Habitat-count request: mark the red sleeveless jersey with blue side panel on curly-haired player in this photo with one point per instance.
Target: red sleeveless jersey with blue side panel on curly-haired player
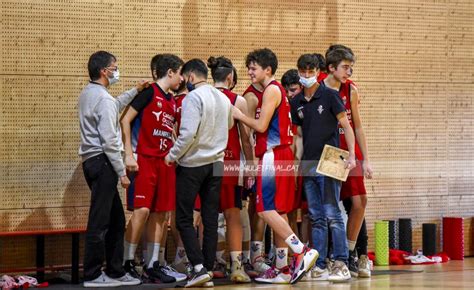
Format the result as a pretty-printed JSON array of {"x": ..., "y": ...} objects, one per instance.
[{"x": 279, "y": 130}]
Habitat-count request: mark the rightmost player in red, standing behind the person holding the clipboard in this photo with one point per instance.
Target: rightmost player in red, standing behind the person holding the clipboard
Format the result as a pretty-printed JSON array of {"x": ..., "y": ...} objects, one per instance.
[{"x": 340, "y": 60}]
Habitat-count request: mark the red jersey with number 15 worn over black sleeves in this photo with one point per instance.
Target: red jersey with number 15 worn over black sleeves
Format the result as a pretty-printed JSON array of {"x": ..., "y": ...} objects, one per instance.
[{"x": 156, "y": 124}]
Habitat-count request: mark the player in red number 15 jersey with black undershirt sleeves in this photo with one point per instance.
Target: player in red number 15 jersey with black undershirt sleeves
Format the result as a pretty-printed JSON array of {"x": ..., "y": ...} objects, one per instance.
[{"x": 153, "y": 118}]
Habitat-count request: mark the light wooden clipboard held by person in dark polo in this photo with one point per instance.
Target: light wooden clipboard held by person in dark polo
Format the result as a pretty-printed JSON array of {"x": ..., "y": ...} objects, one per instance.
[{"x": 332, "y": 163}]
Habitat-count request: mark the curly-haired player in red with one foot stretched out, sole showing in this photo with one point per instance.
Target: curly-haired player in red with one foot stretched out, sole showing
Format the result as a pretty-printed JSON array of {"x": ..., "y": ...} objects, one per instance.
[{"x": 274, "y": 138}]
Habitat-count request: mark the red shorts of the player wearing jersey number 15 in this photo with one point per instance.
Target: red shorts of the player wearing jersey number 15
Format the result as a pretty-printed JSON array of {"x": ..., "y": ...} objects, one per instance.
[{"x": 154, "y": 185}]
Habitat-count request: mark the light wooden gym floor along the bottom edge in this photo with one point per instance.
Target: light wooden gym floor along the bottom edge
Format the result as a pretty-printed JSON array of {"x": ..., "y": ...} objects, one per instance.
[{"x": 451, "y": 275}]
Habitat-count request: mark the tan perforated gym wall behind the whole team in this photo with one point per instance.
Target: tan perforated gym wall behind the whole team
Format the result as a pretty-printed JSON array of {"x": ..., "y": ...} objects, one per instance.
[{"x": 413, "y": 70}]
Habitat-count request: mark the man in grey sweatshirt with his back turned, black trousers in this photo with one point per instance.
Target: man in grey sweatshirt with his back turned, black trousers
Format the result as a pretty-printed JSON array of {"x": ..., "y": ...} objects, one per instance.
[{"x": 199, "y": 152}]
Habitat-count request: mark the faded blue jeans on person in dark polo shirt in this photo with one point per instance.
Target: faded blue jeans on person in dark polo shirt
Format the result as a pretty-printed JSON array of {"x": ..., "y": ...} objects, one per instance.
[{"x": 322, "y": 194}]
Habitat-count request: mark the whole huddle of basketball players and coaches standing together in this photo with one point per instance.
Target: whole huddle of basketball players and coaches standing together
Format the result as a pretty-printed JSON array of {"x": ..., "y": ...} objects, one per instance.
[{"x": 198, "y": 156}]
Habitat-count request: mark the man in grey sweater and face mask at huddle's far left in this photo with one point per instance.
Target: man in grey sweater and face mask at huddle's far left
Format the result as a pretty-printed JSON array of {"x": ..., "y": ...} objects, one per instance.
[{"x": 101, "y": 151}]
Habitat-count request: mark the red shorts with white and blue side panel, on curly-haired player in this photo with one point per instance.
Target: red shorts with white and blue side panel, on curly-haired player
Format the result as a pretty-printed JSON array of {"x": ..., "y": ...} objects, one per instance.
[{"x": 276, "y": 181}]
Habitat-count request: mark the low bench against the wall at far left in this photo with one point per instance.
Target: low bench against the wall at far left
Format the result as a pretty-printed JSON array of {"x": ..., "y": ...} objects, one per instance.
[{"x": 40, "y": 242}]
